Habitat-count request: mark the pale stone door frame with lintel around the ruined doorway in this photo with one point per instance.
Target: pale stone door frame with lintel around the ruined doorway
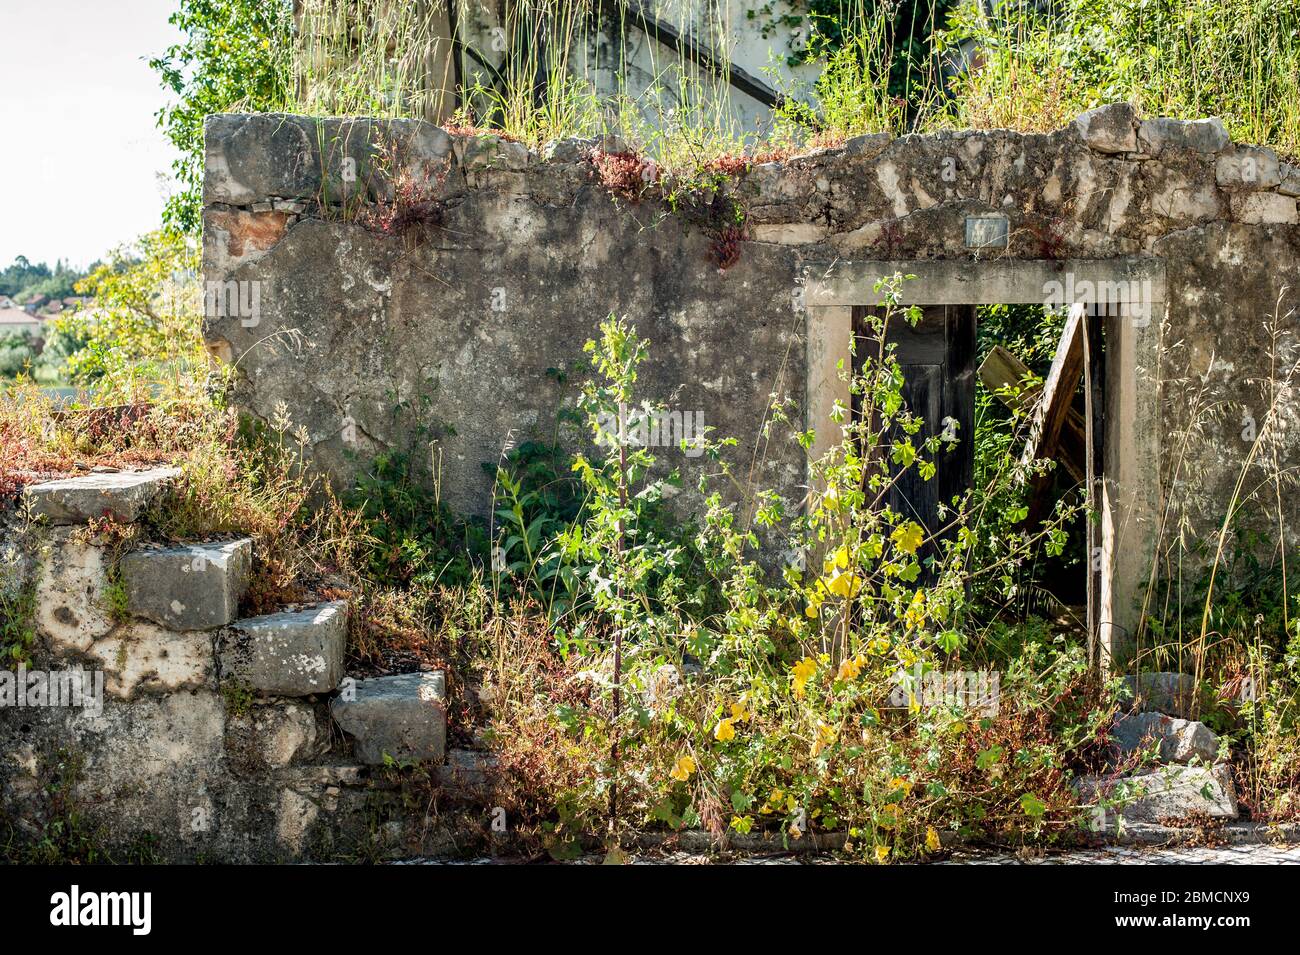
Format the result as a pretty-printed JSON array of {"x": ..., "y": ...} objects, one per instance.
[{"x": 1130, "y": 493}]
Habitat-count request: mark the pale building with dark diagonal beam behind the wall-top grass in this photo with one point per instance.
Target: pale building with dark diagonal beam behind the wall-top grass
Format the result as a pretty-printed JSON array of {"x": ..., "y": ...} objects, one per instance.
[{"x": 735, "y": 55}]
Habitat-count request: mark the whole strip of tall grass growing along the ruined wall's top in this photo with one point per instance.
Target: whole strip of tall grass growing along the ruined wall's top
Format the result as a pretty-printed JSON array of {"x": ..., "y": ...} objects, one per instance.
[{"x": 545, "y": 70}]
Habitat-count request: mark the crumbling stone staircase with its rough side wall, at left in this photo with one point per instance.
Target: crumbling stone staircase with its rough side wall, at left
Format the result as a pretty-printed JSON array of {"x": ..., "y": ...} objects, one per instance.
[{"x": 220, "y": 736}]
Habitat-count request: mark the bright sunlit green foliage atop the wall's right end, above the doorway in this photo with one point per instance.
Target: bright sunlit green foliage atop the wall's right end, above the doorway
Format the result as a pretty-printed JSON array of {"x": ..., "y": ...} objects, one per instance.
[{"x": 1188, "y": 59}]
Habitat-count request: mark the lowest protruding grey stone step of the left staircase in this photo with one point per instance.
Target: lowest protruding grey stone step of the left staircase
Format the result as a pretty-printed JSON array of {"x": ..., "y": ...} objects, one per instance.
[{"x": 404, "y": 718}]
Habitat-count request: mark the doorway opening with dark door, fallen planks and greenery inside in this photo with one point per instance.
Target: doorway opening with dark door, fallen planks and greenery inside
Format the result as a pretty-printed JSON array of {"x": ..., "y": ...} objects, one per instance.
[{"x": 977, "y": 374}]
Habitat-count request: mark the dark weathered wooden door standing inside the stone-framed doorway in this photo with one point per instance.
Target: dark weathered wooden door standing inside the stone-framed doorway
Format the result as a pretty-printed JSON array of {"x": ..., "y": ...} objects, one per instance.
[{"x": 938, "y": 359}]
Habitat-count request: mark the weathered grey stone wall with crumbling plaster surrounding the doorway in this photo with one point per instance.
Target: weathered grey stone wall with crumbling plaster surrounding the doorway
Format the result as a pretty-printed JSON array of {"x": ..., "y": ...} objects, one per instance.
[{"x": 513, "y": 259}]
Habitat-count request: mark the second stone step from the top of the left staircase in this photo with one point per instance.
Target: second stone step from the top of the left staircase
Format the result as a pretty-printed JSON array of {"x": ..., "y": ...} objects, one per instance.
[{"x": 189, "y": 588}]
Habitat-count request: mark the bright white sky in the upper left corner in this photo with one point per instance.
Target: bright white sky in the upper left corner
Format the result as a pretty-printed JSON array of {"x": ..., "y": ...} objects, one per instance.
[{"x": 84, "y": 166}]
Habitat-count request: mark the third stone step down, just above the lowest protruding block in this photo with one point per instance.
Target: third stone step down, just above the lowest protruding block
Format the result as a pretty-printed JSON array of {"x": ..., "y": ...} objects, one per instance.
[{"x": 288, "y": 654}]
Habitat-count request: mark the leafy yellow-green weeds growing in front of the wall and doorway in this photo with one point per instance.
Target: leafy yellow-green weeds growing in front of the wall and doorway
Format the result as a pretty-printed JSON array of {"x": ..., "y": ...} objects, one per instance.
[{"x": 790, "y": 720}]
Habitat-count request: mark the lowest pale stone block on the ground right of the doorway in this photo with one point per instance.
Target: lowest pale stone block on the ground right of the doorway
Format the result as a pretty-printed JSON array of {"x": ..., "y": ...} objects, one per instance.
[{"x": 1167, "y": 795}]
